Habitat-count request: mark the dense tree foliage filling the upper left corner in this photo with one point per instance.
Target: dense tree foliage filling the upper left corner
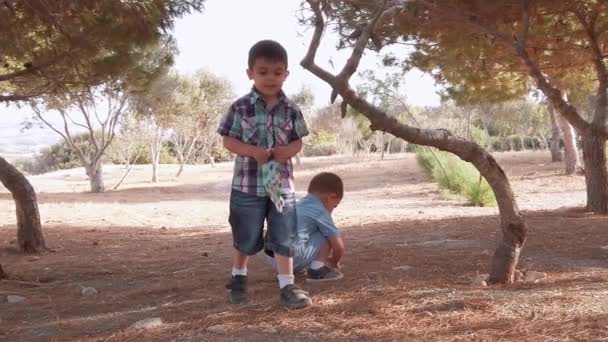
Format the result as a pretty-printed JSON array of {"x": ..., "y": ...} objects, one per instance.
[{"x": 54, "y": 47}]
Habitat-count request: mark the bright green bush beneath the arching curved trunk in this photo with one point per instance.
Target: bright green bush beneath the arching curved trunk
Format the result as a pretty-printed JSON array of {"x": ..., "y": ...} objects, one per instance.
[{"x": 456, "y": 176}]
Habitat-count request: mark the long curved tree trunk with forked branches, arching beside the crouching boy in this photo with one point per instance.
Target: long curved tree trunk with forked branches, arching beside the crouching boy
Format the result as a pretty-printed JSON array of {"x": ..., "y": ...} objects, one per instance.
[{"x": 512, "y": 223}]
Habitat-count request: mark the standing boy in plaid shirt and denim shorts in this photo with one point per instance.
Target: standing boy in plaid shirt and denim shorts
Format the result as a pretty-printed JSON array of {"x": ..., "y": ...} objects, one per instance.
[{"x": 262, "y": 126}]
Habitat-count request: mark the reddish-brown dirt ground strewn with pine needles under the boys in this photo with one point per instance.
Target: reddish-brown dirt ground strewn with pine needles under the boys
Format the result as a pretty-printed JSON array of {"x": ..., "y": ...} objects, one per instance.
[{"x": 163, "y": 250}]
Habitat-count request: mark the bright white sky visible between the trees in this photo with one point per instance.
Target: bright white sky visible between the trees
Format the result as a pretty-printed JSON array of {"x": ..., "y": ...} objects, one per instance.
[{"x": 218, "y": 39}]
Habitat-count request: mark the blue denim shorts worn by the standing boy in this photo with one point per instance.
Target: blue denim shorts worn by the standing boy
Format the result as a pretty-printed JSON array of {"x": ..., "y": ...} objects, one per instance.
[{"x": 247, "y": 215}]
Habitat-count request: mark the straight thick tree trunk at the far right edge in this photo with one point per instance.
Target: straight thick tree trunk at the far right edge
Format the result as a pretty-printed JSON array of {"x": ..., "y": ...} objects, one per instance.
[{"x": 596, "y": 174}]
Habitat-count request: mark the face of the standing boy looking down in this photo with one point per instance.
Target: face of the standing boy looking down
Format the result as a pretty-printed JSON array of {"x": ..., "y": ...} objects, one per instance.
[{"x": 268, "y": 76}]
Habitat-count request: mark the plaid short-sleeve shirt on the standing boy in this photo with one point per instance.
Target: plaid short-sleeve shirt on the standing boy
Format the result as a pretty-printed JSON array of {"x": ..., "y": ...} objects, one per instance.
[{"x": 249, "y": 121}]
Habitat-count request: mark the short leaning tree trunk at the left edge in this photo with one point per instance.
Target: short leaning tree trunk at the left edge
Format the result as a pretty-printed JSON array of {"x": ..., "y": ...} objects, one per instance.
[{"x": 29, "y": 230}]
